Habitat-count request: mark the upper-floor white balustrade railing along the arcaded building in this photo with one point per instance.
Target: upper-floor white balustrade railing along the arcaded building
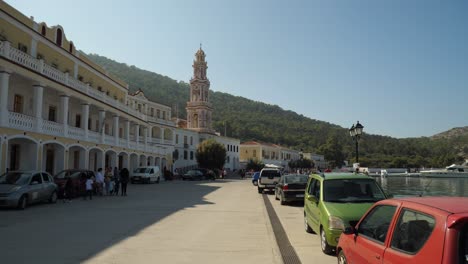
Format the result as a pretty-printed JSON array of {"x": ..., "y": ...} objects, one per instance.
[{"x": 37, "y": 65}]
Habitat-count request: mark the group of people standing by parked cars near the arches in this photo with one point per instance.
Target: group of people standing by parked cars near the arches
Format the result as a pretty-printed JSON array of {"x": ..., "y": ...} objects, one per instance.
[{"x": 108, "y": 182}]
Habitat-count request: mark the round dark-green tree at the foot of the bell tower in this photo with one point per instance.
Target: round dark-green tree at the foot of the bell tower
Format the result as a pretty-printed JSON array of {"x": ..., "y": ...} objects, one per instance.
[{"x": 211, "y": 154}]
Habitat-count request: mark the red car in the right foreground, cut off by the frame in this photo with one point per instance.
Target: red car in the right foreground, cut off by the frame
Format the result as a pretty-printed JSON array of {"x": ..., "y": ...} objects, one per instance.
[{"x": 409, "y": 230}]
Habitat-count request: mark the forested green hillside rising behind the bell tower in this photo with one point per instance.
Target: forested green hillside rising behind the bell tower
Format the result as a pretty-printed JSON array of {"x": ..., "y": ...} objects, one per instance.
[{"x": 252, "y": 120}]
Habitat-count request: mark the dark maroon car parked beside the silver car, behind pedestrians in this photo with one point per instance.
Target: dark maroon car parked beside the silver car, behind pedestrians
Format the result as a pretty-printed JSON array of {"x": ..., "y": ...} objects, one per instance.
[{"x": 78, "y": 178}]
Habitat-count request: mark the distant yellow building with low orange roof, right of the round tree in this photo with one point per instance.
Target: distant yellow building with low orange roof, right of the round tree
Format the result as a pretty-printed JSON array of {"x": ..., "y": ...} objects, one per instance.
[{"x": 267, "y": 153}]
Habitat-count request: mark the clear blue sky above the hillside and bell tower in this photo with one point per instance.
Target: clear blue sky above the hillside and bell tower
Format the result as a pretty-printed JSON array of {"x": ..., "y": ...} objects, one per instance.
[{"x": 399, "y": 67}]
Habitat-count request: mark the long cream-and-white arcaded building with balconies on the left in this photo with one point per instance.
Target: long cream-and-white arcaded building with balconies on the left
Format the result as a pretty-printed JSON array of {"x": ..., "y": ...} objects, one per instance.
[{"x": 59, "y": 110}]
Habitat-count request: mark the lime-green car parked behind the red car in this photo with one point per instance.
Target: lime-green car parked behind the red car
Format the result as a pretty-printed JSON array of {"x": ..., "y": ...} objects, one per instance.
[{"x": 334, "y": 201}]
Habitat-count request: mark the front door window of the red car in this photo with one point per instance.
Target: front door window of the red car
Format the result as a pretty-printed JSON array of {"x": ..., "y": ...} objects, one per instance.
[{"x": 375, "y": 224}]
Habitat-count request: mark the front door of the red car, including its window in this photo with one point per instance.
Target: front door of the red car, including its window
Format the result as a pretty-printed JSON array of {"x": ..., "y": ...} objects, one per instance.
[{"x": 372, "y": 233}]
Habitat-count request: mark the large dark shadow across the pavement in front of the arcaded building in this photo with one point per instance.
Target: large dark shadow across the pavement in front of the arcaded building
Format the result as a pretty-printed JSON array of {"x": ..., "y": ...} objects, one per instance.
[{"x": 74, "y": 232}]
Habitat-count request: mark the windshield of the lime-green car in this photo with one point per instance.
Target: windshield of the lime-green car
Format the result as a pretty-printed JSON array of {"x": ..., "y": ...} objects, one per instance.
[{"x": 352, "y": 190}]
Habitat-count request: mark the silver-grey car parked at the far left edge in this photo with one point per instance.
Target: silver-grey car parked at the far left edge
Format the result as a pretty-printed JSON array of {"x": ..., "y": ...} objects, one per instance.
[{"x": 20, "y": 188}]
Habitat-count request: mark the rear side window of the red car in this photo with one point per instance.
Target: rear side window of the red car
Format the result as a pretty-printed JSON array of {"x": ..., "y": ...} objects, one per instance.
[{"x": 412, "y": 231}]
